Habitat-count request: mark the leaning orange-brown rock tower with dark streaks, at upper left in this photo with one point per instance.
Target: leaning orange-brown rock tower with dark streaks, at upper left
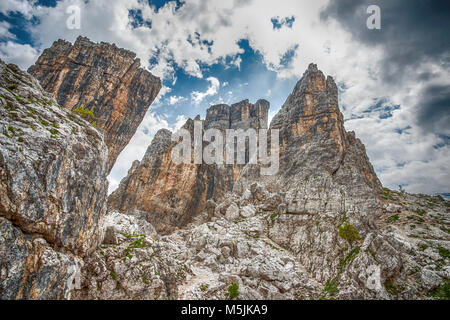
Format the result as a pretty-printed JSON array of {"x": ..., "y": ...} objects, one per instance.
[{"x": 102, "y": 78}]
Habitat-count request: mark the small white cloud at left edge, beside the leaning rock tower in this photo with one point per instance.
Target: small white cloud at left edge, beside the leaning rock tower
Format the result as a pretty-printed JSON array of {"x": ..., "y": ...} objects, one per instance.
[{"x": 21, "y": 54}]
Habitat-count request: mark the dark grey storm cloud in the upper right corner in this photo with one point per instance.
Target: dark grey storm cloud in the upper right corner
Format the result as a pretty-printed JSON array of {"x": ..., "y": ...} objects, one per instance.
[{"x": 412, "y": 32}]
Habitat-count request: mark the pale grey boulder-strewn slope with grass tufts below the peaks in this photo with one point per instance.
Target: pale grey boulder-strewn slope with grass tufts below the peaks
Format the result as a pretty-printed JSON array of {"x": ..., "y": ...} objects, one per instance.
[{"x": 278, "y": 256}]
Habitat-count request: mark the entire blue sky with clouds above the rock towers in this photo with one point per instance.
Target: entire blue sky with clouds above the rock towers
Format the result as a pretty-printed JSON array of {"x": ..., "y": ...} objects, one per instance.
[{"x": 393, "y": 93}]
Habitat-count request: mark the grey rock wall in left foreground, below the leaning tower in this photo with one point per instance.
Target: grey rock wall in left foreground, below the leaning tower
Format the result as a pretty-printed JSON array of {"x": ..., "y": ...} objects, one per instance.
[{"x": 53, "y": 188}]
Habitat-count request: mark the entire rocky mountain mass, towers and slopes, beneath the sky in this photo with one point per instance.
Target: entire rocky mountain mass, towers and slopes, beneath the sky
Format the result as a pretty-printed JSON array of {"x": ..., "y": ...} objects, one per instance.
[{"x": 322, "y": 227}]
